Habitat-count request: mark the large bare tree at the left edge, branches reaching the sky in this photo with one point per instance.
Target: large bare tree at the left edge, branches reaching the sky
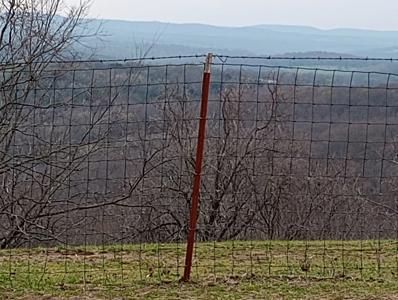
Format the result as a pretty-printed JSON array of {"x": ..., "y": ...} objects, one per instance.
[{"x": 52, "y": 123}]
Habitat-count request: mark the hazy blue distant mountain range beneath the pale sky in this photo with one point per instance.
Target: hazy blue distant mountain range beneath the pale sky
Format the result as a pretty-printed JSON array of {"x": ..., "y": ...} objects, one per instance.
[{"x": 128, "y": 39}]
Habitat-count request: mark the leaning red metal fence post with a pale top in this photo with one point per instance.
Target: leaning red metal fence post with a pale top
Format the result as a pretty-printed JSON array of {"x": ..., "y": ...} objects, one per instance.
[{"x": 198, "y": 168}]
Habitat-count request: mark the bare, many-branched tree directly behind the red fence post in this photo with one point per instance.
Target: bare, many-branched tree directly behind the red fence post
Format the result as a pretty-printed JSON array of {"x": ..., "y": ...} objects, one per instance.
[{"x": 231, "y": 183}]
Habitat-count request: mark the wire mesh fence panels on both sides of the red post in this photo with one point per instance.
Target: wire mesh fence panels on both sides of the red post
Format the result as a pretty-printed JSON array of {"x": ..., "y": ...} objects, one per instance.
[{"x": 97, "y": 166}]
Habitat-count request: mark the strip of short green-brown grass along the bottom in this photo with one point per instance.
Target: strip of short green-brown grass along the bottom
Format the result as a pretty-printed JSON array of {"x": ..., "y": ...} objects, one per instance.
[{"x": 227, "y": 270}]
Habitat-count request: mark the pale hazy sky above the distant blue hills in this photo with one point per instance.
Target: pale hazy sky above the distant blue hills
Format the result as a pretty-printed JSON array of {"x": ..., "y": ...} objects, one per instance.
[{"x": 370, "y": 14}]
